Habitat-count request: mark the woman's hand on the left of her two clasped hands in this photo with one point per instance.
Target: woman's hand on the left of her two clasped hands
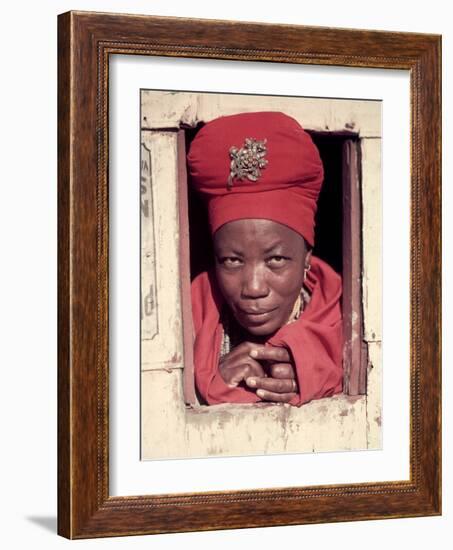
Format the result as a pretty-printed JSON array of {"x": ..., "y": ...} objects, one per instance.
[{"x": 239, "y": 365}]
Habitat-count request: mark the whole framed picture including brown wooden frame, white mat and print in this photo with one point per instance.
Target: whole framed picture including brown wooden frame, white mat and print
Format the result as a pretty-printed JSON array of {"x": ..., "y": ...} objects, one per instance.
[{"x": 239, "y": 354}]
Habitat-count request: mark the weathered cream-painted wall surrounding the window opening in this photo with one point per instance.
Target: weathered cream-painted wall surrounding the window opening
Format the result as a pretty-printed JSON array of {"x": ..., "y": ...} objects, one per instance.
[{"x": 169, "y": 428}]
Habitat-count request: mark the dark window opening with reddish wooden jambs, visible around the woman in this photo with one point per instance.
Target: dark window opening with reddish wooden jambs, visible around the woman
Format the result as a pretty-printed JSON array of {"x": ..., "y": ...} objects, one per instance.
[{"x": 338, "y": 241}]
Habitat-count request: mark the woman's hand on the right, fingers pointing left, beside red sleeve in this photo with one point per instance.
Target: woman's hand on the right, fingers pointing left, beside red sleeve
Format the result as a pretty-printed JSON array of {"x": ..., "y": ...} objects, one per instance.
[{"x": 281, "y": 385}]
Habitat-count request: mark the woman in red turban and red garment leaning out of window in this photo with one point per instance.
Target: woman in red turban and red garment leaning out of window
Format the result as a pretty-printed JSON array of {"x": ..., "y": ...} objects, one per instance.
[{"x": 267, "y": 319}]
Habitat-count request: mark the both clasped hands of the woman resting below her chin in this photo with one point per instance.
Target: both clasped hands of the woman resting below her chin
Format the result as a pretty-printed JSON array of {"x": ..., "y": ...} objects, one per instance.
[{"x": 266, "y": 369}]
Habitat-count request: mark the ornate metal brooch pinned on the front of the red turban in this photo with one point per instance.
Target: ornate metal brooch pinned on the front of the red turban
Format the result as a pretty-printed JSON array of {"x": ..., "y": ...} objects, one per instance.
[{"x": 247, "y": 161}]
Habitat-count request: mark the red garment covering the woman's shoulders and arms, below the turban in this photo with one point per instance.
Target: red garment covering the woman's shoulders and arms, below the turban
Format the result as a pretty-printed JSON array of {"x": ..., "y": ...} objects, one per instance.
[{"x": 315, "y": 340}]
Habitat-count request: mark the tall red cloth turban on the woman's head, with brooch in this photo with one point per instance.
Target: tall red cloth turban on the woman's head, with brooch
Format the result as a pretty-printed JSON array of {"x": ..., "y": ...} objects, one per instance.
[{"x": 257, "y": 165}]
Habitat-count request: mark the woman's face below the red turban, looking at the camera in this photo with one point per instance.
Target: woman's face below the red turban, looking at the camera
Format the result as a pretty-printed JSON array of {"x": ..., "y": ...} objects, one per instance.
[{"x": 260, "y": 270}]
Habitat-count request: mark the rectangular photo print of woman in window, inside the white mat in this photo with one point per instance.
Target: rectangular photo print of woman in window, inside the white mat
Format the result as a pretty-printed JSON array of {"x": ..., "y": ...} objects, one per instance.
[{"x": 260, "y": 274}]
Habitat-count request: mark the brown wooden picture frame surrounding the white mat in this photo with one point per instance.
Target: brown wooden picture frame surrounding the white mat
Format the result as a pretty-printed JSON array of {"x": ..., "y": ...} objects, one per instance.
[{"x": 85, "y": 508}]
